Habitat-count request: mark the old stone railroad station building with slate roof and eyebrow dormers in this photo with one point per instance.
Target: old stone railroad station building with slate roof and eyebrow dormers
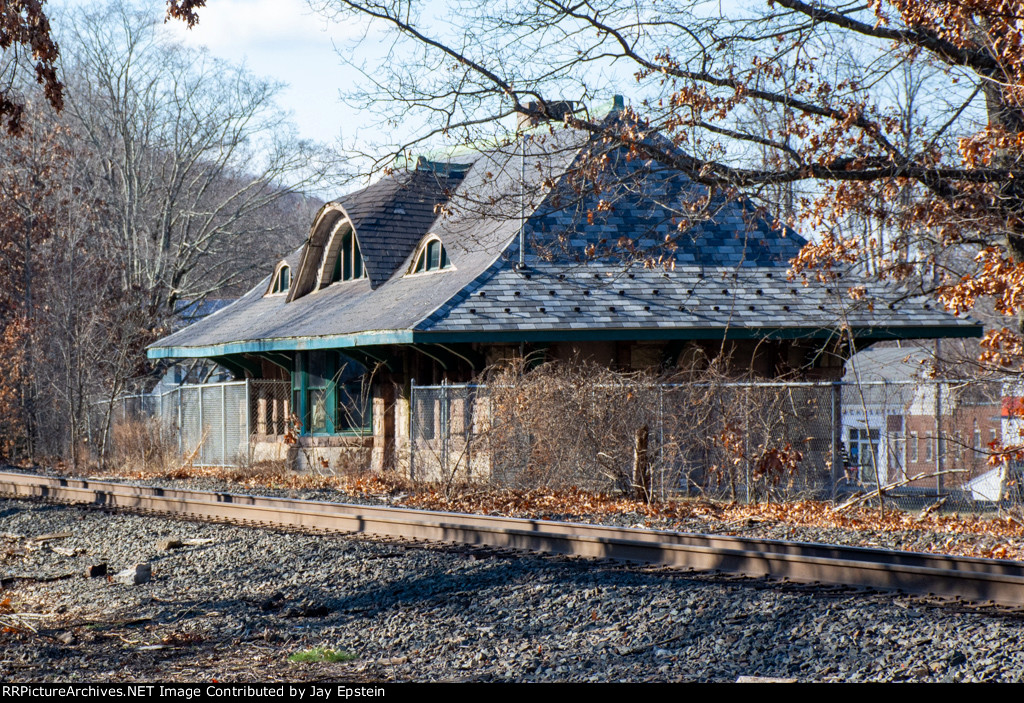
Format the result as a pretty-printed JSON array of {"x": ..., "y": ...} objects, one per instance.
[{"x": 449, "y": 266}]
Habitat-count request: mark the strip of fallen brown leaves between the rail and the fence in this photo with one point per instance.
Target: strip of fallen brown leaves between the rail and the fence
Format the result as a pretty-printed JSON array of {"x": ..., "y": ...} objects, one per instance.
[{"x": 998, "y": 537}]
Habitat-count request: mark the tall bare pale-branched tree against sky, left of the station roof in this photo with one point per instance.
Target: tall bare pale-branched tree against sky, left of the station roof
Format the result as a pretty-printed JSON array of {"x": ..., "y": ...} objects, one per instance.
[{"x": 196, "y": 161}]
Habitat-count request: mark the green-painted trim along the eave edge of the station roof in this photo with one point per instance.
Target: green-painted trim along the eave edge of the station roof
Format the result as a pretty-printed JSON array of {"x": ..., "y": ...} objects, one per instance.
[{"x": 405, "y": 337}]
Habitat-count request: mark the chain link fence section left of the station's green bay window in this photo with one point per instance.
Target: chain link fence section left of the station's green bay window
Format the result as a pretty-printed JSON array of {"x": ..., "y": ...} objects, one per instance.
[{"x": 211, "y": 425}]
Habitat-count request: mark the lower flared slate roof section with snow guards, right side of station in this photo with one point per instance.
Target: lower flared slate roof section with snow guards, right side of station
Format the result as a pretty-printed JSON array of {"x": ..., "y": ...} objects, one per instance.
[{"x": 689, "y": 298}]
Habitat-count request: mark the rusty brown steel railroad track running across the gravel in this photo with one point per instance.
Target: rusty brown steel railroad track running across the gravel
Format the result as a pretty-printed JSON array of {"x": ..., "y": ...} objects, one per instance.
[{"x": 968, "y": 579}]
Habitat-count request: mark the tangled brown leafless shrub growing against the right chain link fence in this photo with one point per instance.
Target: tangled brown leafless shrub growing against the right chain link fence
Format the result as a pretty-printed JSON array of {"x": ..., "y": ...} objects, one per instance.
[{"x": 648, "y": 436}]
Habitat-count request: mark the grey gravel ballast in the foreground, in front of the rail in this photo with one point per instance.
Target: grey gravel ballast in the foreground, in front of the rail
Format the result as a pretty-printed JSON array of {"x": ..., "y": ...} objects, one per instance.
[{"x": 234, "y": 604}]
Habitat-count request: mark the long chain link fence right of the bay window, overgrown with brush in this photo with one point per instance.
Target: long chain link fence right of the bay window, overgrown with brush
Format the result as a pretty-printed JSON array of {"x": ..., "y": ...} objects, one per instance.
[{"x": 919, "y": 443}]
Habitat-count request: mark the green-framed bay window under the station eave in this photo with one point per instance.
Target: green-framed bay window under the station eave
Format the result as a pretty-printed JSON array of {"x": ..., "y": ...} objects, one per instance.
[{"x": 331, "y": 393}]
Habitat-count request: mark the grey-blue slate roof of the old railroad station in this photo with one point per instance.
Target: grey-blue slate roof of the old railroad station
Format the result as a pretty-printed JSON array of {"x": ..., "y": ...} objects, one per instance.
[{"x": 721, "y": 275}]
